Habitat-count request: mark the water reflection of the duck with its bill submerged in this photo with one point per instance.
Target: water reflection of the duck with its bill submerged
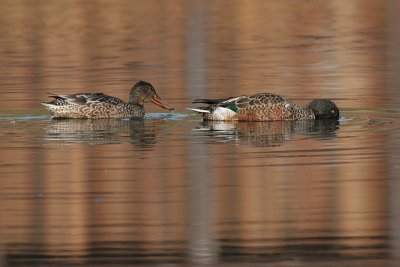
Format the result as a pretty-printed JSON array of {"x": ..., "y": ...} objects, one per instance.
[{"x": 268, "y": 133}]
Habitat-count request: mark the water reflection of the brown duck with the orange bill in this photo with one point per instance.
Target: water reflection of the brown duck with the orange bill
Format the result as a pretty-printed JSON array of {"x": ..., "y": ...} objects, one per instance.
[{"x": 139, "y": 132}]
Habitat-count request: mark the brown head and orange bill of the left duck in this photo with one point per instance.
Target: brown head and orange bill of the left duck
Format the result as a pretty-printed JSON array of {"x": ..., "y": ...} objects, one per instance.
[{"x": 143, "y": 92}]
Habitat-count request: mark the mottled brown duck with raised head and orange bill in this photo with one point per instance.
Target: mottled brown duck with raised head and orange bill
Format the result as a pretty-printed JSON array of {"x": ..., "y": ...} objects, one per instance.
[{"x": 99, "y": 105}]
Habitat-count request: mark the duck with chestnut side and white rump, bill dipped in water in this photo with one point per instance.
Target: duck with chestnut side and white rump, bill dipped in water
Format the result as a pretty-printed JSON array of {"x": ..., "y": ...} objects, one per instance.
[{"x": 265, "y": 107}]
